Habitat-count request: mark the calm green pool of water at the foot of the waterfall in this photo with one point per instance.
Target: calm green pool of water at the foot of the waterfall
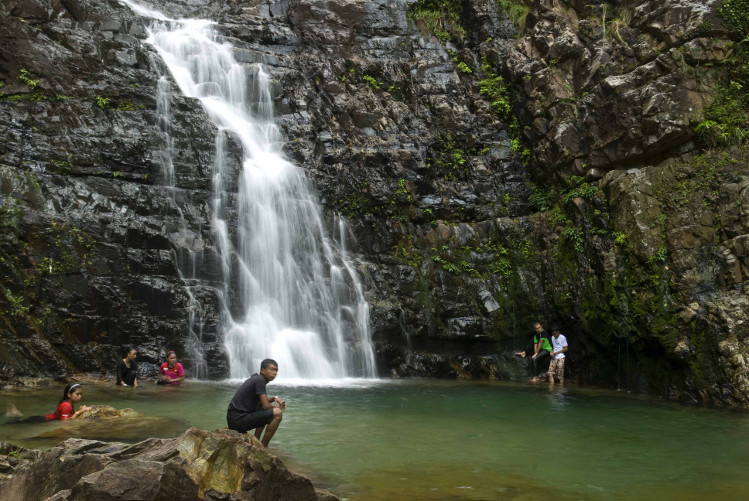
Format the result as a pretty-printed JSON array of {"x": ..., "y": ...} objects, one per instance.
[{"x": 437, "y": 440}]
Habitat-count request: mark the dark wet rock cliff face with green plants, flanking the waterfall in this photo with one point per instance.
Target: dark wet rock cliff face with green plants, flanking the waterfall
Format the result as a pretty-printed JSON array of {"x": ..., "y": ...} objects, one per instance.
[{"x": 494, "y": 173}]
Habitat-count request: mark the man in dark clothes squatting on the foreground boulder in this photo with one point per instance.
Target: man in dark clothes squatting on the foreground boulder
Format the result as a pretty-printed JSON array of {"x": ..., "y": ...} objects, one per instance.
[{"x": 251, "y": 408}]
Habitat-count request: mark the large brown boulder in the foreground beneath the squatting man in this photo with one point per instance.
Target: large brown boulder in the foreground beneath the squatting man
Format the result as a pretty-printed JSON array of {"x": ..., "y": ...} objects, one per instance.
[{"x": 198, "y": 465}]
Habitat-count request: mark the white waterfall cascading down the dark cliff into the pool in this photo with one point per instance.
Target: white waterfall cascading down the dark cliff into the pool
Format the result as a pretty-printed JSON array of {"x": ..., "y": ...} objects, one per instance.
[{"x": 289, "y": 291}]
